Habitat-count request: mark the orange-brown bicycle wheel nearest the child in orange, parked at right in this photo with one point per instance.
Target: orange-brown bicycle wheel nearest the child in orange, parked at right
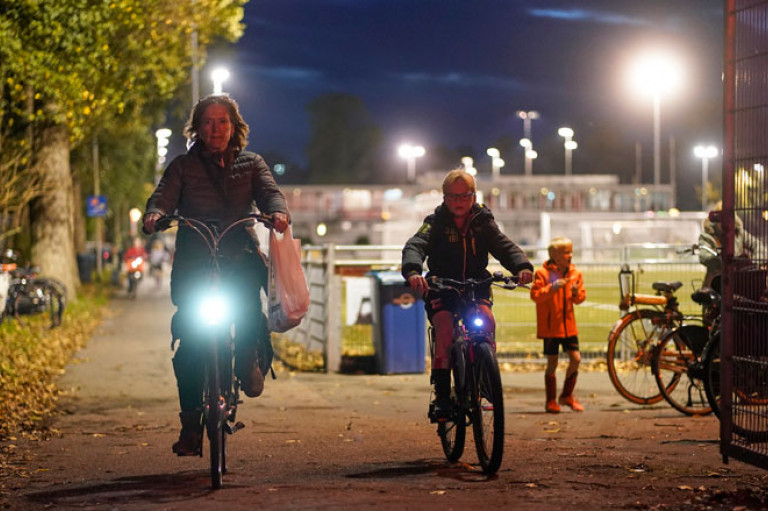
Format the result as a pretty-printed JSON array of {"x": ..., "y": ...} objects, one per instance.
[{"x": 628, "y": 356}]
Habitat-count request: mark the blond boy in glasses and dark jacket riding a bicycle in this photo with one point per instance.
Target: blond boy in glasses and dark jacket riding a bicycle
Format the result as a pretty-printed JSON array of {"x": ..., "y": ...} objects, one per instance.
[{"x": 455, "y": 240}]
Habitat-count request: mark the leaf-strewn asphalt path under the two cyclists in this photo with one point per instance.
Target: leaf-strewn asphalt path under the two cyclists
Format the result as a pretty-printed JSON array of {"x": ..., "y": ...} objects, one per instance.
[{"x": 317, "y": 441}]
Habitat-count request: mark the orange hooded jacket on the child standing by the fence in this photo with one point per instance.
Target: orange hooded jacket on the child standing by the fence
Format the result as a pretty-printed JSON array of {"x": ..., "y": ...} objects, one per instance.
[{"x": 554, "y": 307}]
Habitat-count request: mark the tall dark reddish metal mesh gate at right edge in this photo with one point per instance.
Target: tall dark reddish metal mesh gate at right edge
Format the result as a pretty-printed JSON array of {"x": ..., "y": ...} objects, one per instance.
[{"x": 744, "y": 361}]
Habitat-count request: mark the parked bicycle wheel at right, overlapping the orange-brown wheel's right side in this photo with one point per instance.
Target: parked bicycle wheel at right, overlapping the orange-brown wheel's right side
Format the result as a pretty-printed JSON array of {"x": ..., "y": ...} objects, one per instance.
[{"x": 680, "y": 374}]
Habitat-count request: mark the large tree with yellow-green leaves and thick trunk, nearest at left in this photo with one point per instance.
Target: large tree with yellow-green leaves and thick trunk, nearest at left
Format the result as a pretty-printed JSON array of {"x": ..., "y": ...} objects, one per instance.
[{"x": 71, "y": 67}]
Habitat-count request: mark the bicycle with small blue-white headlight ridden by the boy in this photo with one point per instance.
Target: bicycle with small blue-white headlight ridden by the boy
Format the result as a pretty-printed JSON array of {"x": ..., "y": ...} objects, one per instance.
[{"x": 476, "y": 395}]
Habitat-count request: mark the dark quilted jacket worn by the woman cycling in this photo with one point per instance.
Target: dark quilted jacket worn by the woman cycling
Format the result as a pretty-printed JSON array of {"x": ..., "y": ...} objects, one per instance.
[{"x": 194, "y": 185}]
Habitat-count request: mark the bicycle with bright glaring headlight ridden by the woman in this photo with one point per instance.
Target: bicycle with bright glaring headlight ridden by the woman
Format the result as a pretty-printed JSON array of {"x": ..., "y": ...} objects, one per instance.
[{"x": 221, "y": 388}]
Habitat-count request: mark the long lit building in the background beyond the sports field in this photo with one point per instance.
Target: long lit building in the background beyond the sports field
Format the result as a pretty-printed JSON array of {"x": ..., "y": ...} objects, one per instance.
[{"x": 594, "y": 210}]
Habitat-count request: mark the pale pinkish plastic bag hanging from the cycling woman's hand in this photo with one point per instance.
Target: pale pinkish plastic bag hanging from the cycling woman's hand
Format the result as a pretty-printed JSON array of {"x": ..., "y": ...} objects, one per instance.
[{"x": 288, "y": 298}]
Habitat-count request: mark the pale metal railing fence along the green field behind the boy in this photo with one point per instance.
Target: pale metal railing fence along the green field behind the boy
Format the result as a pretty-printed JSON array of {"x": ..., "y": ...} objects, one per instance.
[{"x": 339, "y": 328}]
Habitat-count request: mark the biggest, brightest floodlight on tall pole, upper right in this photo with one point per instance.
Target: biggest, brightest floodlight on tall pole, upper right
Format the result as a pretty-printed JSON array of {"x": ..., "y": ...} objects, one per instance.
[{"x": 656, "y": 74}]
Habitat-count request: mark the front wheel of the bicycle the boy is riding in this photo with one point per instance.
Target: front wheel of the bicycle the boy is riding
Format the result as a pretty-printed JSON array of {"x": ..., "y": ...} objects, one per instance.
[{"x": 488, "y": 410}]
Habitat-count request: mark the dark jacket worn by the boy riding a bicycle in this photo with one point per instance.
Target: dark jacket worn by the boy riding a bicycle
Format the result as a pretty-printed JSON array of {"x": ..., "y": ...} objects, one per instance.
[{"x": 461, "y": 254}]
